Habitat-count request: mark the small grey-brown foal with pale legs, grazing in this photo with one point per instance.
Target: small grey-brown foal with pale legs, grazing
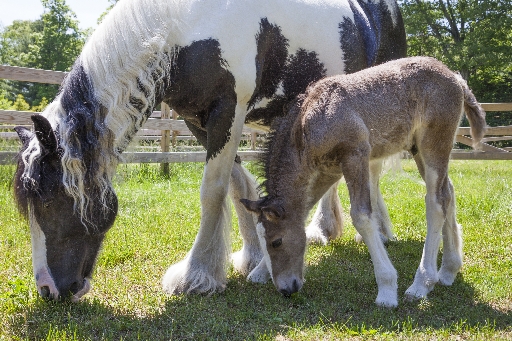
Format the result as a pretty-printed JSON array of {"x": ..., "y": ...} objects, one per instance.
[{"x": 343, "y": 126}]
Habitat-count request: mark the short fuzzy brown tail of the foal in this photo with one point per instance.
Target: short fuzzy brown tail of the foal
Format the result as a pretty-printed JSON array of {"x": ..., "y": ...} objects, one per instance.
[{"x": 475, "y": 114}]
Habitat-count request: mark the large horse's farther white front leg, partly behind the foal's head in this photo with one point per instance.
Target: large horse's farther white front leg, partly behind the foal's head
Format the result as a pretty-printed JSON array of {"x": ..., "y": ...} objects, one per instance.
[{"x": 243, "y": 185}]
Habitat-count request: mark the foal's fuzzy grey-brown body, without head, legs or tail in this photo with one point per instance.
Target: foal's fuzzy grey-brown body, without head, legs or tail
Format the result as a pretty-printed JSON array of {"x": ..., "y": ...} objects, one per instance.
[{"x": 391, "y": 106}]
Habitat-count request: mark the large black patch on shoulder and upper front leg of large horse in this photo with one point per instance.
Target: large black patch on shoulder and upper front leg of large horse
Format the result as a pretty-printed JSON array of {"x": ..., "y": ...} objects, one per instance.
[{"x": 202, "y": 91}]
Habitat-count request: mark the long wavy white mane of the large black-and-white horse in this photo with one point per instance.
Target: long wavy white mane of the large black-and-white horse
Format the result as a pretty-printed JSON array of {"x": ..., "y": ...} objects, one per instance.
[{"x": 109, "y": 93}]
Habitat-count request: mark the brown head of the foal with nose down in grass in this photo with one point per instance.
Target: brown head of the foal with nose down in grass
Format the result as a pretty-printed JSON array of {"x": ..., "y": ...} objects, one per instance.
[{"x": 283, "y": 242}]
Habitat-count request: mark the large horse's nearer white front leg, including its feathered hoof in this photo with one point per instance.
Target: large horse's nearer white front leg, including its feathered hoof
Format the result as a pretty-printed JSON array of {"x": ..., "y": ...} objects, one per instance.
[{"x": 204, "y": 269}]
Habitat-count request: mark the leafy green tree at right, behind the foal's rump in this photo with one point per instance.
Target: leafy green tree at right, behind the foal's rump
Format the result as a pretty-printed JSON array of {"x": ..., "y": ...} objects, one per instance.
[{"x": 473, "y": 37}]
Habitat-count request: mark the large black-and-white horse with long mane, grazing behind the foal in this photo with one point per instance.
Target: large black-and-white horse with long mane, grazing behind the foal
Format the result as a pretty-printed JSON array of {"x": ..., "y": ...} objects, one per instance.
[{"x": 219, "y": 64}]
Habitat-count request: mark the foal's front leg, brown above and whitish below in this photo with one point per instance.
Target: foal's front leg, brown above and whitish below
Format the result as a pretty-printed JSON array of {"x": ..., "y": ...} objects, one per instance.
[{"x": 356, "y": 171}]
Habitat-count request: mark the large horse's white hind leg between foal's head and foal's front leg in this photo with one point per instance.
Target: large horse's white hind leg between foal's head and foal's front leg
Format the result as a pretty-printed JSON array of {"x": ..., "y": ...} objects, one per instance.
[{"x": 327, "y": 222}]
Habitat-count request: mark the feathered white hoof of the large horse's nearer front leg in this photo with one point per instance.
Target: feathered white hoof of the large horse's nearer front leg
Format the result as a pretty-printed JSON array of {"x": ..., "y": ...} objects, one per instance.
[{"x": 183, "y": 278}]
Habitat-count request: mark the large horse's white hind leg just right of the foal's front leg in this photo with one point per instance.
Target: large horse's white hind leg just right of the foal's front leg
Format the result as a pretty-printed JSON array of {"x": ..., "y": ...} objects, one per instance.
[{"x": 378, "y": 205}]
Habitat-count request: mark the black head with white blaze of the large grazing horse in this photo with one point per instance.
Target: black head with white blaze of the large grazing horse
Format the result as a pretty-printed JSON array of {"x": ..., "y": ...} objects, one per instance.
[{"x": 65, "y": 244}]
